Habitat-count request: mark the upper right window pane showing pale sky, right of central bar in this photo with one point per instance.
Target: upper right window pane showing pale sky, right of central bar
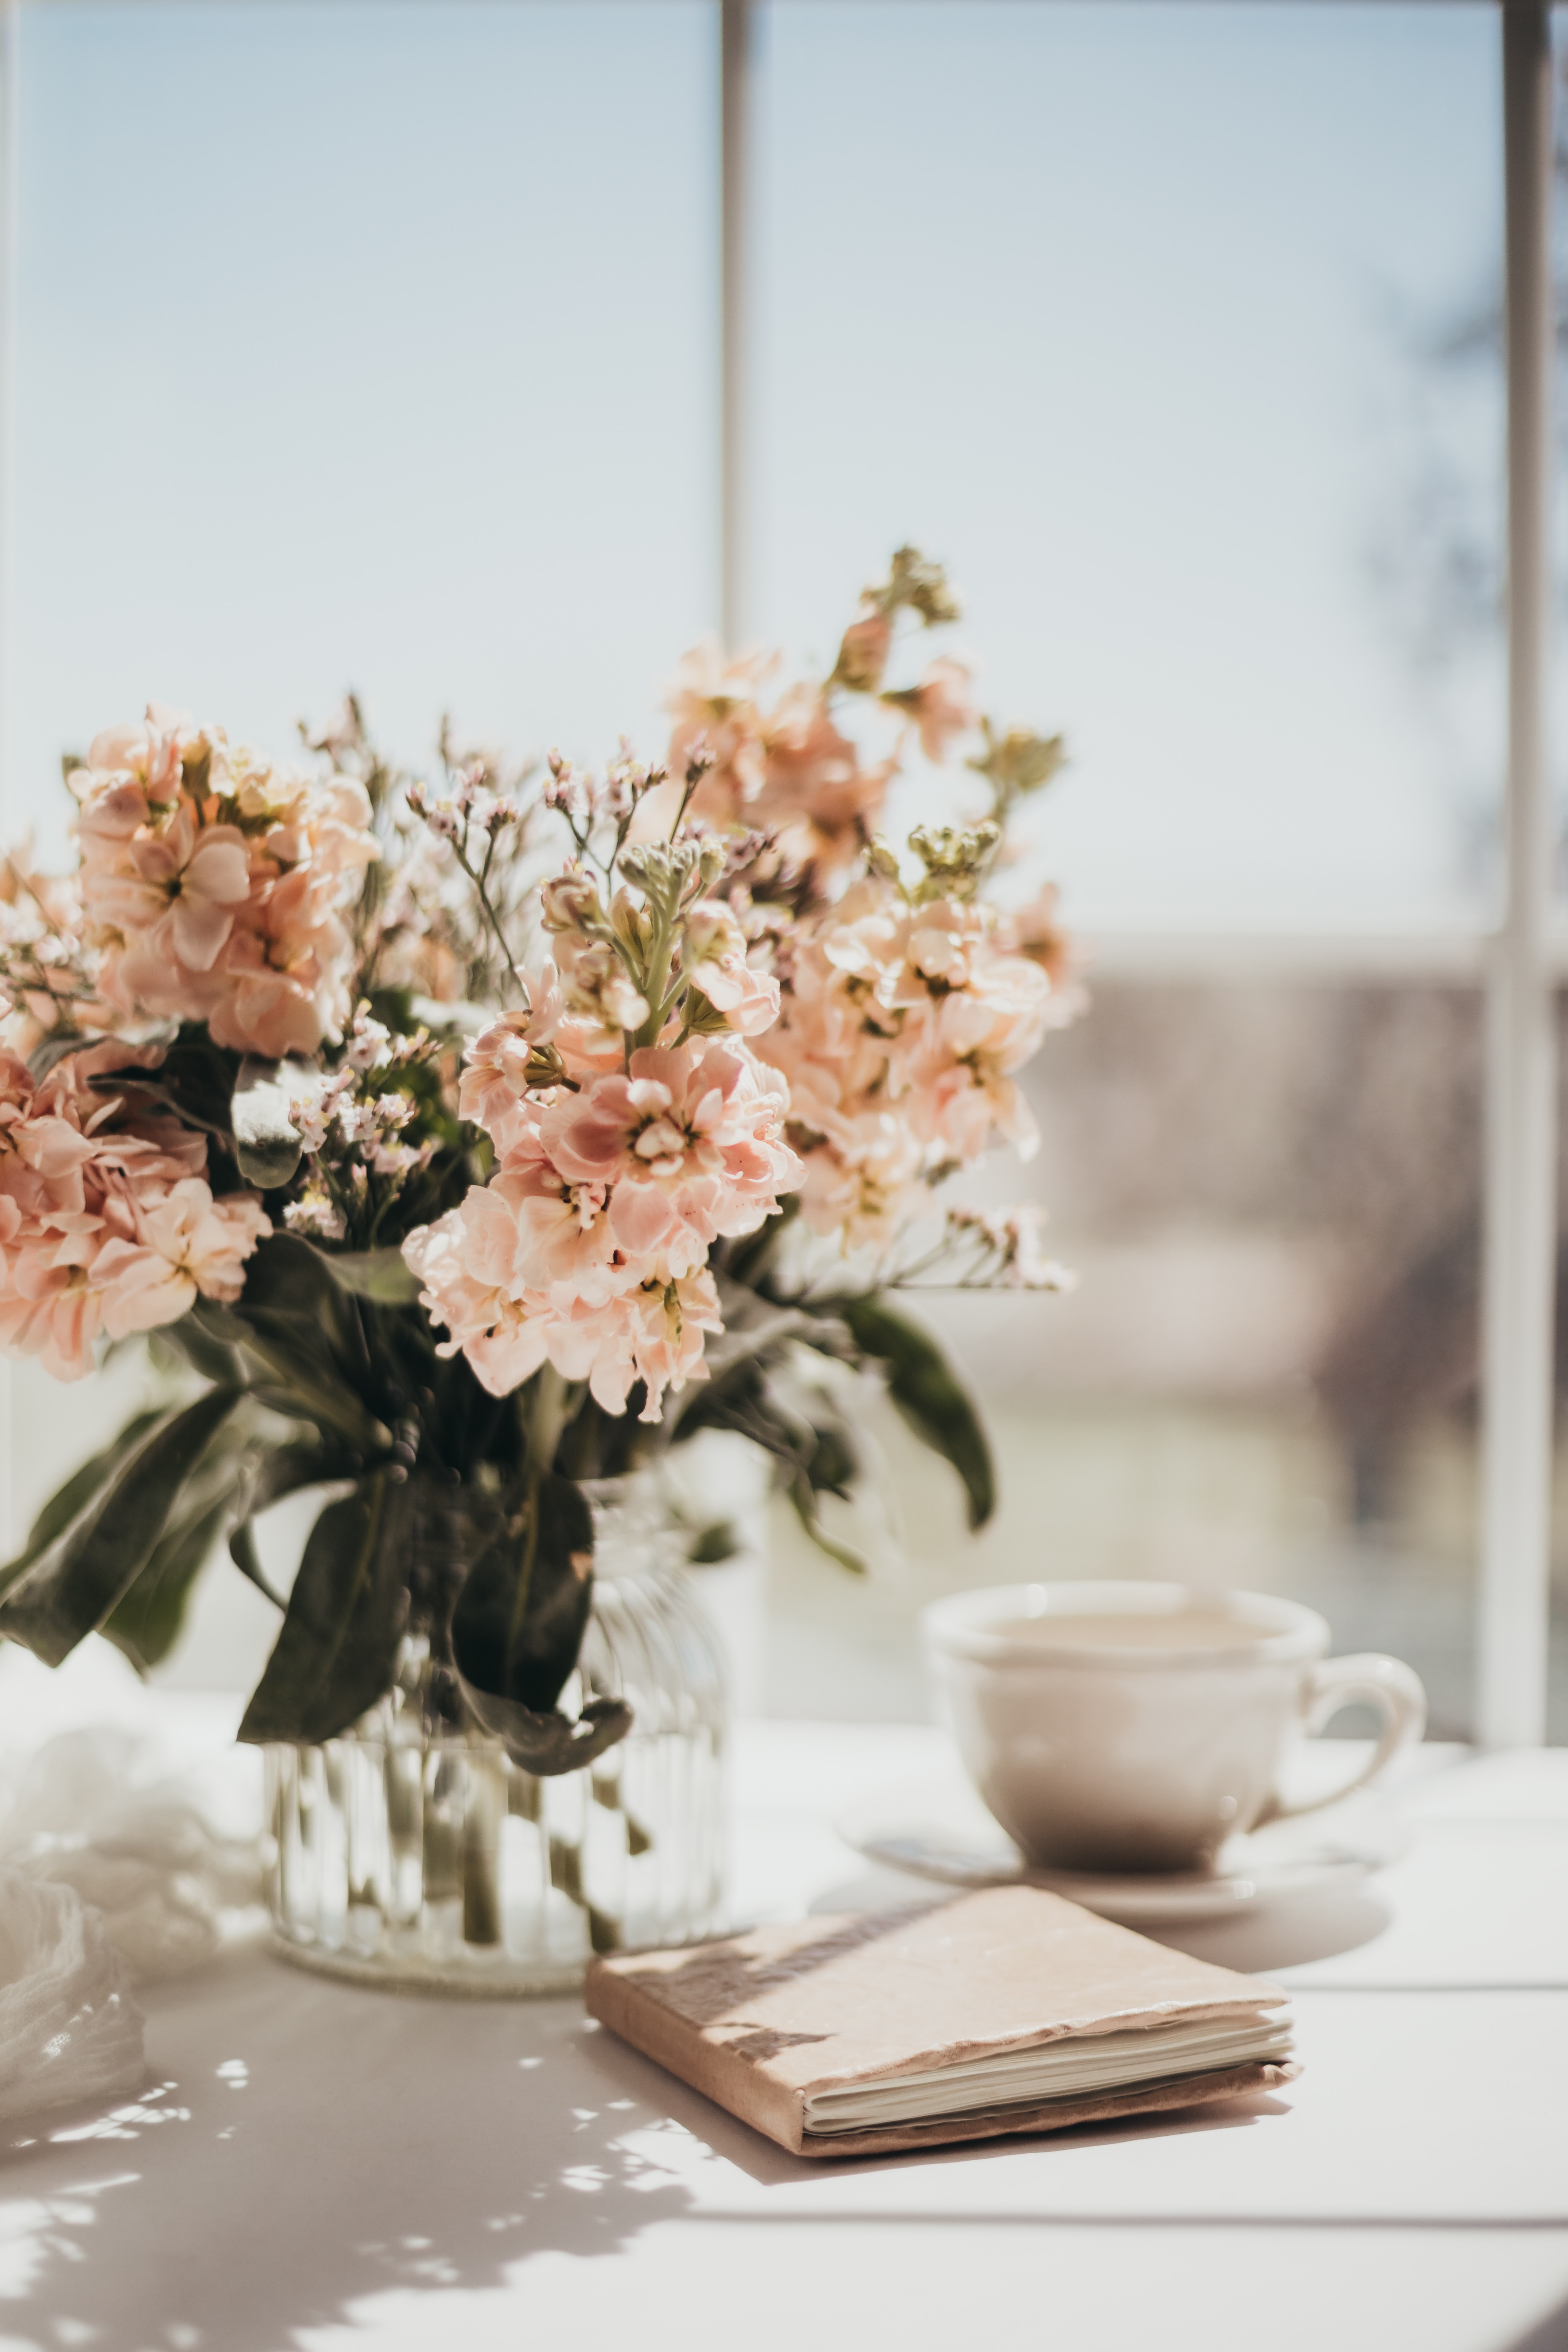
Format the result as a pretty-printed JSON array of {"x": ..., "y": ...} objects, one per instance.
[{"x": 1137, "y": 316}]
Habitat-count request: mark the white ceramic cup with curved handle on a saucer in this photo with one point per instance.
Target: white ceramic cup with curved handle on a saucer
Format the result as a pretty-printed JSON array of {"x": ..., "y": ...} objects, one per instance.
[{"x": 1137, "y": 1728}]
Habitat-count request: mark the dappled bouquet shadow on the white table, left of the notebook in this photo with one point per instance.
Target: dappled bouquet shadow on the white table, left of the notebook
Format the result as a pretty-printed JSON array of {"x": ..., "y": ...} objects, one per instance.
[{"x": 316, "y": 2146}]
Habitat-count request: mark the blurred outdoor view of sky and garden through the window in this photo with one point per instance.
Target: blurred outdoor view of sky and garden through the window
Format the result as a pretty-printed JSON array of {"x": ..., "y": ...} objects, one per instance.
[{"x": 375, "y": 342}]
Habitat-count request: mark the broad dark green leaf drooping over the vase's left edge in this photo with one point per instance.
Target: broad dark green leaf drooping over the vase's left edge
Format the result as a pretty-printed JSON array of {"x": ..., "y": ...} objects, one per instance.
[{"x": 340, "y": 1636}]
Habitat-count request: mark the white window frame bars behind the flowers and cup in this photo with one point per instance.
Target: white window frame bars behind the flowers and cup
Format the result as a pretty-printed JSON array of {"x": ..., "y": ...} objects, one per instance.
[{"x": 1517, "y": 963}]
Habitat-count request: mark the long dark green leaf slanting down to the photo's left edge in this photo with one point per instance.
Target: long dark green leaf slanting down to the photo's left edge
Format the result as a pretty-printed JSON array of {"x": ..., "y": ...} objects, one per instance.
[{"x": 79, "y": 1579}]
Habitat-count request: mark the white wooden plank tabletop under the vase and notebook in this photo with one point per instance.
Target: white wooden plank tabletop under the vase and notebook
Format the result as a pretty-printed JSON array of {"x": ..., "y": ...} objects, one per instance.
[{"x": 328, "y": 2167}]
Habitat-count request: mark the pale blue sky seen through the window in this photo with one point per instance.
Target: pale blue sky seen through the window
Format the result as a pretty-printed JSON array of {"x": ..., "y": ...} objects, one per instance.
[{"x": 377, "y": 345}]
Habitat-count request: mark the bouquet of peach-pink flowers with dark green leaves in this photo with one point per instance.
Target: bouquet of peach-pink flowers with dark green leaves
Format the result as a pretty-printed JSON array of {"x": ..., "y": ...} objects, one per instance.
[{"x": 460, "y": 1142}]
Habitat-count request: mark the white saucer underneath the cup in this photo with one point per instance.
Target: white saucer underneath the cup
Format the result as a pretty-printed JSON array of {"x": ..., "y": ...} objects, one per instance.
[{"x": 944, "y": 1833}]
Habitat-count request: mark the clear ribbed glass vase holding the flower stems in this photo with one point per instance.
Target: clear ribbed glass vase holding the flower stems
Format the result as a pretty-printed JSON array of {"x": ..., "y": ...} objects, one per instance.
[{"x": 427, "y": 1859}]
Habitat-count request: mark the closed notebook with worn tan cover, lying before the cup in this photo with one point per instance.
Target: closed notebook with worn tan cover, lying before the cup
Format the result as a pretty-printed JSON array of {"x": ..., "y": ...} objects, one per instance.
[{"x": 1007, "y": 2010}]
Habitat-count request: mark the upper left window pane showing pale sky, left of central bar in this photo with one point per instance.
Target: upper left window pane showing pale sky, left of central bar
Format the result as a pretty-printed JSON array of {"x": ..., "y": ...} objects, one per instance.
[{"x": 363, "y": 345}]
